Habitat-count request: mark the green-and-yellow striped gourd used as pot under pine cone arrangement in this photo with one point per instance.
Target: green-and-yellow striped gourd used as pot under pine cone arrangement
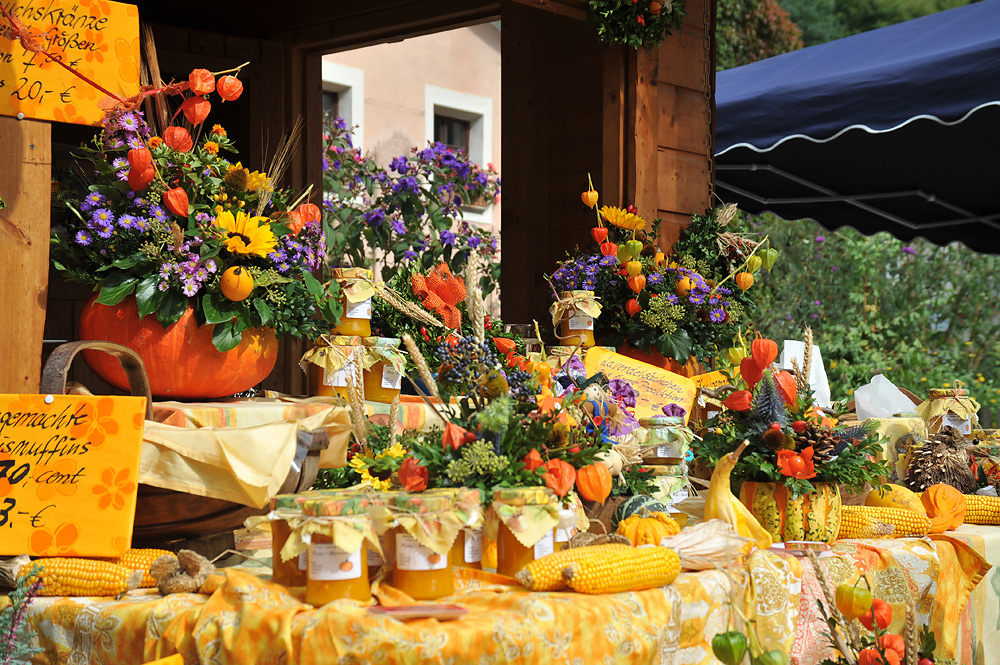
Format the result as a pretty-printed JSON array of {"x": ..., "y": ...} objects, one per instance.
[{"x": 814, "y": 516}]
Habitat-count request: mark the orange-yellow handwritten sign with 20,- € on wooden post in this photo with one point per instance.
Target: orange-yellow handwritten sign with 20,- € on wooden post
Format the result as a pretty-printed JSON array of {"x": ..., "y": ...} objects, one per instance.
[{"x": 98, "y": 39}]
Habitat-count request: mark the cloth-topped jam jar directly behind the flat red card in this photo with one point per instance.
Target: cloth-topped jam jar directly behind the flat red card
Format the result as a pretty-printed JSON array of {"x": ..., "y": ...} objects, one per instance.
[{"x": 419, "y": 544}]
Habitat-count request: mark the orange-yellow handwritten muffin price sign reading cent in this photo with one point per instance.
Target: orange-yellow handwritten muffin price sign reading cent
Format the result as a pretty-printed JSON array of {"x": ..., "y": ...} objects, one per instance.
[{"x": 68, "y": 473}]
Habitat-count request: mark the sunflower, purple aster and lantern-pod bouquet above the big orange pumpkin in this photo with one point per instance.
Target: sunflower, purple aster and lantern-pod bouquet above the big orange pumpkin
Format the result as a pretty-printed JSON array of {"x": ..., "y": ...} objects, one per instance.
[{"x": 174, "y": 221}]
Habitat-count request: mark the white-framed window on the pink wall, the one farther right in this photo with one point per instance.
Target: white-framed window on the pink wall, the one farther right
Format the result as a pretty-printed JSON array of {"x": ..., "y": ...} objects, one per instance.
[{"x": 461, "y": 120}]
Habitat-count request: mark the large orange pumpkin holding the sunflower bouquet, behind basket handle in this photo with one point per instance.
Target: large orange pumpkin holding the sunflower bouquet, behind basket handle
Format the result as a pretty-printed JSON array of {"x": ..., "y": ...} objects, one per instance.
[{"x": 181, "y": 361}]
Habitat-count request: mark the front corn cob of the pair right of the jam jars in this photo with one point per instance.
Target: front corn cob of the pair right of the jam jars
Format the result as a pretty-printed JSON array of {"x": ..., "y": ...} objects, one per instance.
[{"x": 617, "y": 570}]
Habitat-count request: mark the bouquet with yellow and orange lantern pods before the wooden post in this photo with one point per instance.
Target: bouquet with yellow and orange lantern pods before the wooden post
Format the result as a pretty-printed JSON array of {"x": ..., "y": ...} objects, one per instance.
[{"x": 688, "y": 304}]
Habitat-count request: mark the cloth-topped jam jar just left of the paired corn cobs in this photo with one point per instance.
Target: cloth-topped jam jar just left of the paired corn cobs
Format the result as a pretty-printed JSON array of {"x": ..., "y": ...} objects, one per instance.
[{"x": 524, "y": 520}]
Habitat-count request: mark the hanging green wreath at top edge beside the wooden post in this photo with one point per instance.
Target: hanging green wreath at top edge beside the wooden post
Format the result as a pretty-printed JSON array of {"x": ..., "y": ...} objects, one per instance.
[{"x": 635, "y": 22}]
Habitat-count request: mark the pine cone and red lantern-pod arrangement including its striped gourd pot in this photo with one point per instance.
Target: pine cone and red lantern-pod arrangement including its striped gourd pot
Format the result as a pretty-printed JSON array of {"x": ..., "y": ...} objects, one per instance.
[{"x": 796, "y": 458}]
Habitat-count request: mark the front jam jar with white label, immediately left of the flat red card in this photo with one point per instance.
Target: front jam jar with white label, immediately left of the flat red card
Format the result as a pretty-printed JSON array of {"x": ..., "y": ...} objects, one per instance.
[{"x": 337, "y": 542}]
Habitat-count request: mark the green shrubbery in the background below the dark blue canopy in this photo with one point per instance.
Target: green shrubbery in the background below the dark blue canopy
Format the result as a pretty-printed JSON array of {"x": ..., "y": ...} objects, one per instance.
[{"x": 923, "y": 315}]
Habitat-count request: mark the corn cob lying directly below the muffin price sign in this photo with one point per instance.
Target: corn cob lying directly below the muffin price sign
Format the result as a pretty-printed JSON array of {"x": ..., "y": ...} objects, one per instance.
[{"x": 69, "y": 576}]
